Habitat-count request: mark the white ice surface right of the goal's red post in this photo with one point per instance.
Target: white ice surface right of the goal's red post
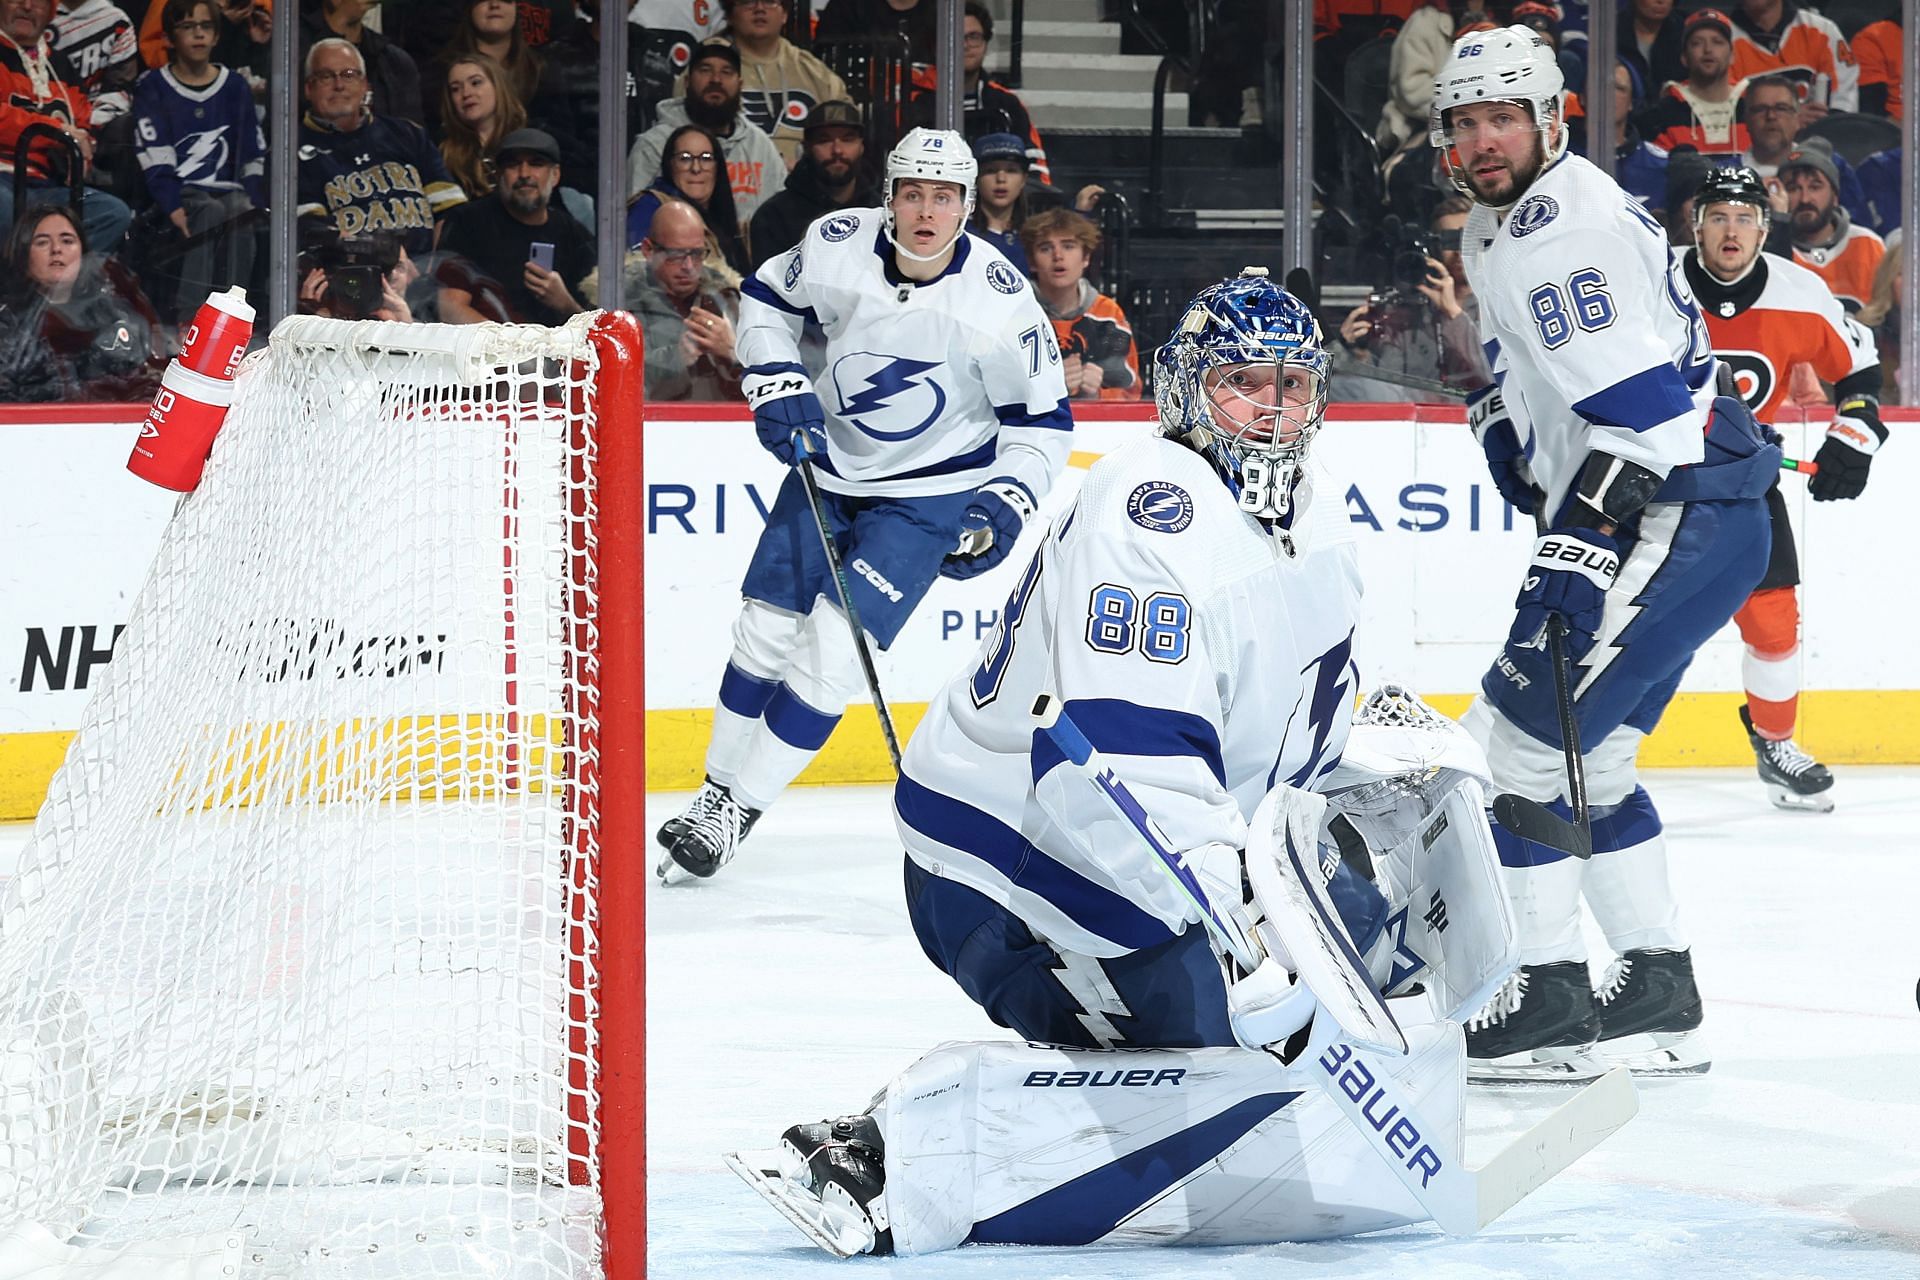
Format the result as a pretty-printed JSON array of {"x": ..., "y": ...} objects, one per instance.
[{"x": 790, "y": 989}]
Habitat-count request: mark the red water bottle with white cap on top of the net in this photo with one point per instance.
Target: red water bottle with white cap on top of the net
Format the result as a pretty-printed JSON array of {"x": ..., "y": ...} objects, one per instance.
[{"x": 195, "y": 394}]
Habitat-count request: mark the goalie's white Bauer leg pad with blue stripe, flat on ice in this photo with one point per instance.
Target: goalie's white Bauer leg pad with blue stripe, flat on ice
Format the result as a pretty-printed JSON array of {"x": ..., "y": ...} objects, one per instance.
[{"x": 1026, "y": 1145}]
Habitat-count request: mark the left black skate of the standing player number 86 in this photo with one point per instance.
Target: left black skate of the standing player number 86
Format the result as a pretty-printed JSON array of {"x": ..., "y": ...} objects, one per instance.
[{"x": 1539, "y": 1028}]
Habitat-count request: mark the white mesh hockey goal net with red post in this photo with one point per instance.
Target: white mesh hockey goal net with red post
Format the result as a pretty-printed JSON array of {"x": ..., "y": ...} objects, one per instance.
[{"x": 314, "y": 964}]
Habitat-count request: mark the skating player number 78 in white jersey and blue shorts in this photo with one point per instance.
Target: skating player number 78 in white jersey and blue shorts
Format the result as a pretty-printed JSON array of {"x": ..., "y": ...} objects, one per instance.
[{"x": 940, "y": 425}]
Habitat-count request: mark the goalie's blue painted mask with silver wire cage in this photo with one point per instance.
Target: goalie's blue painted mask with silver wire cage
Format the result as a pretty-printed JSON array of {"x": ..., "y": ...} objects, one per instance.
[{"x": 1243, "y": 383}]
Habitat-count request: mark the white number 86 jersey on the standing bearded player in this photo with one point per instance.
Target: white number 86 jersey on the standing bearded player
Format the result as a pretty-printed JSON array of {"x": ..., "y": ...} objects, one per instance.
[{"x": 1591, "y": 327}]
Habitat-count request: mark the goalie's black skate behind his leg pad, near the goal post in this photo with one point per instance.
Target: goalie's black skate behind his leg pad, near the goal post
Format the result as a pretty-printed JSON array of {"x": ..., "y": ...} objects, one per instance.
[{"x": 828, "y": 1181}]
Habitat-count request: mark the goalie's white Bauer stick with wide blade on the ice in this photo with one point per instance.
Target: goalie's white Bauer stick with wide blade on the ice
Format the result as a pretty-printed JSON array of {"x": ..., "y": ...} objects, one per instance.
[{"x": 1460, "y": 1198}]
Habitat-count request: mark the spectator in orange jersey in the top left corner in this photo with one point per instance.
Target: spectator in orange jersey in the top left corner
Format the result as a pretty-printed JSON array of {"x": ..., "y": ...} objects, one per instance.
[{"x": 39, "y": 87}]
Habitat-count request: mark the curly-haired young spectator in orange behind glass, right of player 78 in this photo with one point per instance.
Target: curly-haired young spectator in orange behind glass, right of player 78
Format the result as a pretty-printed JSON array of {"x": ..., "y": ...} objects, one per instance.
[{"x": 1097, "y": 352}]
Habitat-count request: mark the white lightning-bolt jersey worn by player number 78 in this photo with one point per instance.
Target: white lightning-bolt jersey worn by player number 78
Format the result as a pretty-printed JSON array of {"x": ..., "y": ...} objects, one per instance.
[{"x": 928, "y": 389}]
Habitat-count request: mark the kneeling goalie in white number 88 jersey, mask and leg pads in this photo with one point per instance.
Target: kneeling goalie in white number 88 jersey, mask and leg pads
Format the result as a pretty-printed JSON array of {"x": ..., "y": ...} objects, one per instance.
[{"x": 1195, "y": 615}]
